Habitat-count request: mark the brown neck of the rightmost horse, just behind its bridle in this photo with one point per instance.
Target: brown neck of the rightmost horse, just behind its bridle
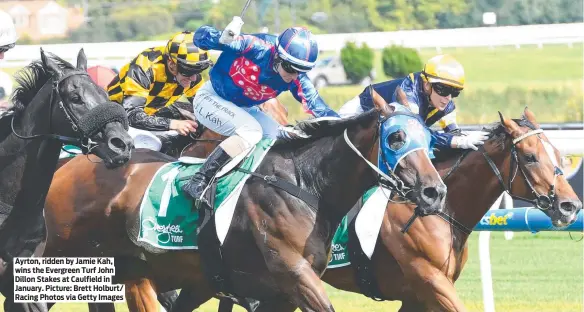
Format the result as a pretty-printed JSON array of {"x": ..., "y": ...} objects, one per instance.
[{"x": 473, "y": 187}]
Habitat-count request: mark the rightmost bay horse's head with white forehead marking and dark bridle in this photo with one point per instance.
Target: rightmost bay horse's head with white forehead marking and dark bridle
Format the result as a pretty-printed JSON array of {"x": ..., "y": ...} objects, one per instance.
[{"x": 535, "y": 173}]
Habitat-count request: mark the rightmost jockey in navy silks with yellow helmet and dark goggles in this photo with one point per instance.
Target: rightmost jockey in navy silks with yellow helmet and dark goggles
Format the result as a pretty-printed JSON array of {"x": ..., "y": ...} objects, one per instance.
[{"x": 428, "y": 93}]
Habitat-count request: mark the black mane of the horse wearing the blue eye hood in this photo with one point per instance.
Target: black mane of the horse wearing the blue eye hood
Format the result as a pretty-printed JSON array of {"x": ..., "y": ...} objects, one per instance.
[{"x": 319, "y": 128}]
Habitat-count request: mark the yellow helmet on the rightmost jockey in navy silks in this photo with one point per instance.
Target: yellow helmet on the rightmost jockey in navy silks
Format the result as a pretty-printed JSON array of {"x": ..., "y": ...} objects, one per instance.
[{"x": 444, "y": 69}]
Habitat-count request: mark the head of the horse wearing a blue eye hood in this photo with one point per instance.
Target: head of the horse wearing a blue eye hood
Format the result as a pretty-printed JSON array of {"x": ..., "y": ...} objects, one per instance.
[{"x": 405, "y": 151}]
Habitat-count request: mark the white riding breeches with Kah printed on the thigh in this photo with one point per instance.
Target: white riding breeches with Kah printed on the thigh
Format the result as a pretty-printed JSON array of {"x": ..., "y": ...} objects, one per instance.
[{"x": 226, "y": 118}]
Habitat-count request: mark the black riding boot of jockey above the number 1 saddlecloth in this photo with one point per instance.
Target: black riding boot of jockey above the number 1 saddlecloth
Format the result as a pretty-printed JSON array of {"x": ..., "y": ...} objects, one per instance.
[{"x": 199, "y": 181}]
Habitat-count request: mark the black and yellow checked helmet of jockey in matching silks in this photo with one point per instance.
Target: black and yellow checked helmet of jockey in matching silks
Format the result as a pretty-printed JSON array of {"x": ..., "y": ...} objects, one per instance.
[{"x": 181, "y": 48}]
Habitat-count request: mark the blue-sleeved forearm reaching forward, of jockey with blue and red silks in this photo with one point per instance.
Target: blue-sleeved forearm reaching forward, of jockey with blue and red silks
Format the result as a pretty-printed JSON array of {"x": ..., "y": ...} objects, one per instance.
[{"x": 304, "y": 92}]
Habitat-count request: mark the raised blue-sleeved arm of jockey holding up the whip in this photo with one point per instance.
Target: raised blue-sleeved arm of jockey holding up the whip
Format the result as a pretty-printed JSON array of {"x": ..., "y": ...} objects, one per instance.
[{"x": 207, "y": 38}]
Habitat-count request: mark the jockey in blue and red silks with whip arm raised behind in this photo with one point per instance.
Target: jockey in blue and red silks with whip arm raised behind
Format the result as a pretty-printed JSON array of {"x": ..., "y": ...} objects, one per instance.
[{"x": 250, "y": 70}]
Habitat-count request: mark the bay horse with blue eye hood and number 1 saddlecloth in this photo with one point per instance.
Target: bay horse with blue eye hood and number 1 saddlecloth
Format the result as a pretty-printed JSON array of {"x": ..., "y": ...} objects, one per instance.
[{"x": 277, "y": 244}]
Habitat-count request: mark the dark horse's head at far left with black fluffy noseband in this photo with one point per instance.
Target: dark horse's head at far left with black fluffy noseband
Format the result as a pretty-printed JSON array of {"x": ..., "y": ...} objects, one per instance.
[{"x": 87, "y": 112}]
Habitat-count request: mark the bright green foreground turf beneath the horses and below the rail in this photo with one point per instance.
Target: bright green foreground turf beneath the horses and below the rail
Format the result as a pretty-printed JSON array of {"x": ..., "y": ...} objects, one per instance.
[{"x": 535, "y": 273}]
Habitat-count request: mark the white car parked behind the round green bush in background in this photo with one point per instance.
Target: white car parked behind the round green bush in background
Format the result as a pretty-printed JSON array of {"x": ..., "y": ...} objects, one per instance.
[{"x": 330, "y": 71}]
